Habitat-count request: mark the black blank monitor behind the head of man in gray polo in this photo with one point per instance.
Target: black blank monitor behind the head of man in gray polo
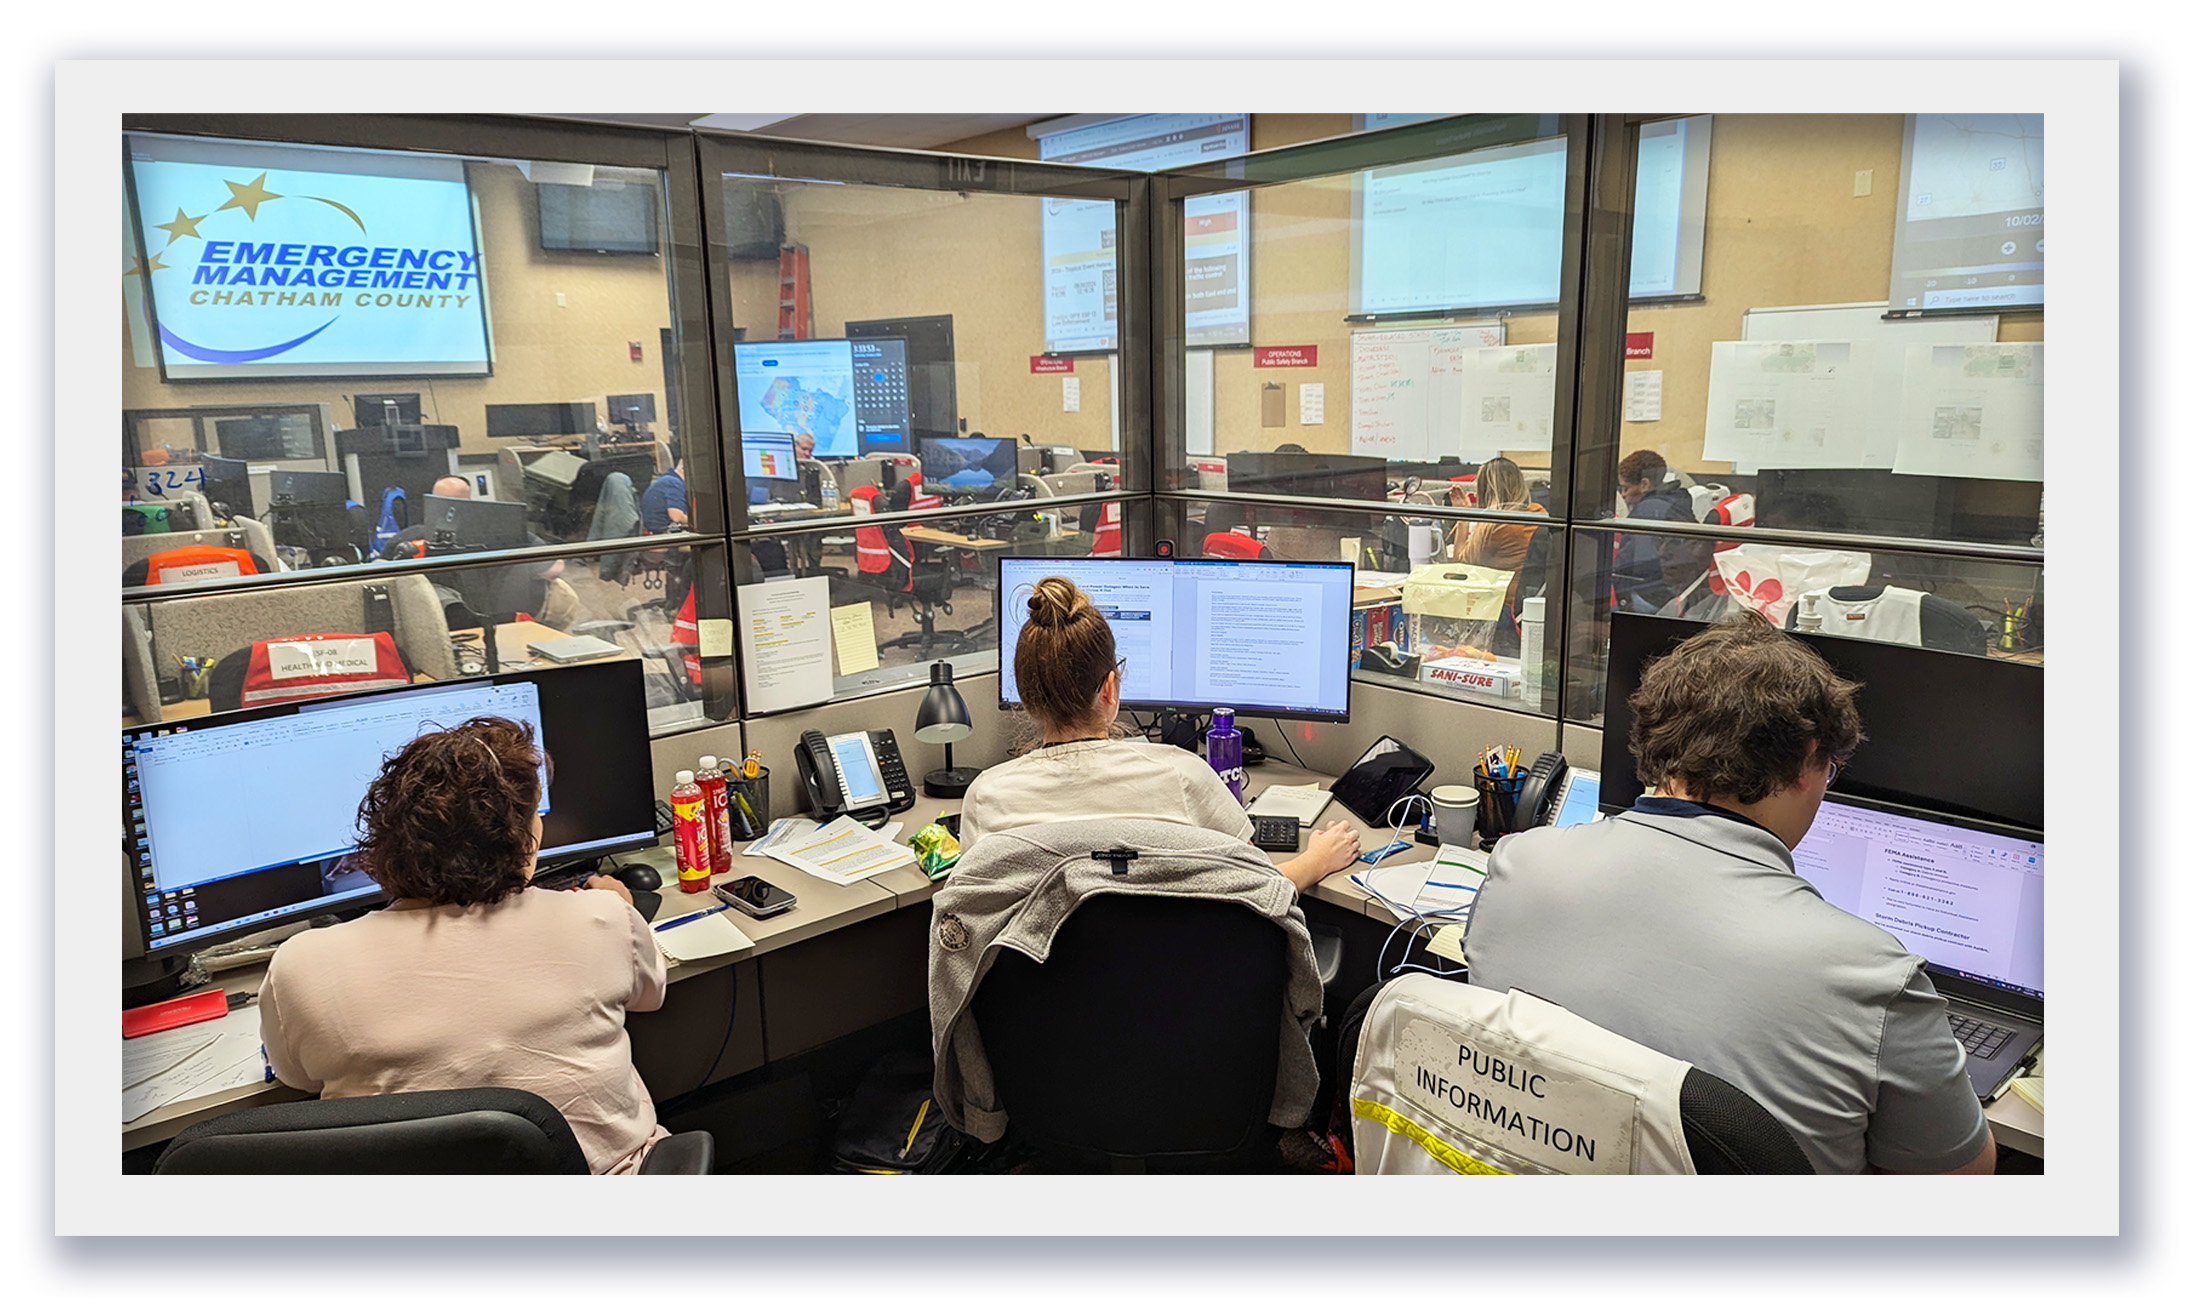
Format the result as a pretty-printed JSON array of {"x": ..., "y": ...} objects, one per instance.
[{"x": 1945, "y": 731}]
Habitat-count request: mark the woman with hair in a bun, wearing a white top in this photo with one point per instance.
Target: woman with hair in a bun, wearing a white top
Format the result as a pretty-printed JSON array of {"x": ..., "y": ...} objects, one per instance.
[{"x": 1071, "y": 681}]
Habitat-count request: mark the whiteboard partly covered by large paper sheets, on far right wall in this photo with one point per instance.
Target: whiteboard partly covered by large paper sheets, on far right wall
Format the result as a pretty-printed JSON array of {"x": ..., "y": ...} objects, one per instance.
[{"x": 1878, "y": 379}]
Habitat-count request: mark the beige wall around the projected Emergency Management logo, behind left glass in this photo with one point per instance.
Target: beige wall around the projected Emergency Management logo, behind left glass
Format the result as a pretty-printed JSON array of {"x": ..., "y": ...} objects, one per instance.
[{"x": 561, "y": 327}]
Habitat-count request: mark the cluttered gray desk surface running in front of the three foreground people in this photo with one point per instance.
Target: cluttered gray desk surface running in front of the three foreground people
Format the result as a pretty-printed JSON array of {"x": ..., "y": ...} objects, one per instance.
[{"x": 826, "y": 908}]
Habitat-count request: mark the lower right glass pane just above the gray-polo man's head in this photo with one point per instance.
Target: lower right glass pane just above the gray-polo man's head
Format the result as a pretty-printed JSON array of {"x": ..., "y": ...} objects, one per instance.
[{"x": 1934, "y": 602}]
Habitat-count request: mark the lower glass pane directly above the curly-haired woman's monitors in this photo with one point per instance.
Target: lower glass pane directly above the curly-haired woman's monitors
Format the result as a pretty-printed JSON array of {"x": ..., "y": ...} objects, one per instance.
[{"x": 207, "y": 654}]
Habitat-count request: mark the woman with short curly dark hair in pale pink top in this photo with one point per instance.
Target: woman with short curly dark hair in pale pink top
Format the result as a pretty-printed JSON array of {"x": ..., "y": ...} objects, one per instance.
[{"x": 469, "y": 978}]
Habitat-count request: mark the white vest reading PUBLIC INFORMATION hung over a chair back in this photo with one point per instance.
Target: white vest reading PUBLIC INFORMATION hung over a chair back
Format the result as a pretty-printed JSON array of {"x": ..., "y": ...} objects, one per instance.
[{"x": 1458, "y": 1078}]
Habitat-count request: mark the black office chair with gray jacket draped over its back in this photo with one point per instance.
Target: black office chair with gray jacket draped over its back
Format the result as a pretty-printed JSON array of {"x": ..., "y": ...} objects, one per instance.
[{"x": 1147, "y": 1041}]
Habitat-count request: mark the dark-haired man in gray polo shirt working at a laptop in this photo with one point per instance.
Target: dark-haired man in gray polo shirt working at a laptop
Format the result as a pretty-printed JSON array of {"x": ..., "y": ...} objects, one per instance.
[{"x": 1683, "y": 925}]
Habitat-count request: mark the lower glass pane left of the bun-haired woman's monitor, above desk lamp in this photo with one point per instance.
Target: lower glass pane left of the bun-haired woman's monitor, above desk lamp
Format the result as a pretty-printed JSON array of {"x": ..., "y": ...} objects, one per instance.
[{"x": 928, "y": 589}]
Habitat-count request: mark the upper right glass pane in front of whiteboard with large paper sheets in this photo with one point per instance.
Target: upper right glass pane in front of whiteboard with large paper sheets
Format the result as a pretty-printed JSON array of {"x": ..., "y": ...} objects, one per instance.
[{"x": 1799, "y": 392}]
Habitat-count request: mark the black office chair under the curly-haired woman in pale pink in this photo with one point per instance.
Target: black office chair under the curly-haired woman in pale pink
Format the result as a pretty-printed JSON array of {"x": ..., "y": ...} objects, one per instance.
[{"x": 482, "y": 1131}]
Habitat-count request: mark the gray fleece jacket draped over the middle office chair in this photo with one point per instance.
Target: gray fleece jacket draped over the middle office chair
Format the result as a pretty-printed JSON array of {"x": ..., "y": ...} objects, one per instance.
[{"x": 1016, "y": 888}]
